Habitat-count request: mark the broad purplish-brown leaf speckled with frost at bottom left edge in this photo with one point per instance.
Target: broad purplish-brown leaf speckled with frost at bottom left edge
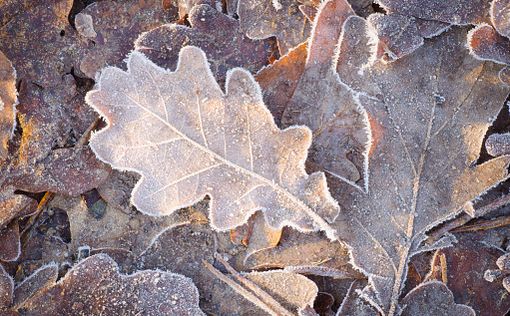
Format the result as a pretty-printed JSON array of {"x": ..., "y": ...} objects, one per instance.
[{"x": 95, "y": 287}]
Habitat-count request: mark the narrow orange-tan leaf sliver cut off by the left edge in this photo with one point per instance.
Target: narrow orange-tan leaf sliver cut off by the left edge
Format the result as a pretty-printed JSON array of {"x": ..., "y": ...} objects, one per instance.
[{"x": 8, "y": 101}]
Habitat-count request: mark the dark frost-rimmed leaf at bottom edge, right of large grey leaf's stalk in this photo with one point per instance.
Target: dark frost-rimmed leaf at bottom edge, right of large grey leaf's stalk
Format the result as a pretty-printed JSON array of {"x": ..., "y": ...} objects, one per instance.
[{"x": 433, "y": 298}]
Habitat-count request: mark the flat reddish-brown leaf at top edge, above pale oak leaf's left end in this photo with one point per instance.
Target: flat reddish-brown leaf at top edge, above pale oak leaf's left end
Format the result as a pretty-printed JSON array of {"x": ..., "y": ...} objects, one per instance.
[{"x": 117, "y": 24}]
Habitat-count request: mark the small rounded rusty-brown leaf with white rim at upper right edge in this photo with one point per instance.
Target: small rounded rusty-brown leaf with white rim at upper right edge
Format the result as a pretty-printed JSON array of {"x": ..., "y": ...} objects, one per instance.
[{"x": 486, "y": 44}]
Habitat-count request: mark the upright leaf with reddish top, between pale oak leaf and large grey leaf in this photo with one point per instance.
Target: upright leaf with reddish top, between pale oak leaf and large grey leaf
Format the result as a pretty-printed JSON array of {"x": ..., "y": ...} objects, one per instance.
[{"x": 327, "y": 106}]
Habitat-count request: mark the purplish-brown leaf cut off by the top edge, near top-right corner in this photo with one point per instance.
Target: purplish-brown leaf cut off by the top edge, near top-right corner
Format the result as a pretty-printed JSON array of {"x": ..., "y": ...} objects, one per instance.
[{"x": 458, "y": 12}]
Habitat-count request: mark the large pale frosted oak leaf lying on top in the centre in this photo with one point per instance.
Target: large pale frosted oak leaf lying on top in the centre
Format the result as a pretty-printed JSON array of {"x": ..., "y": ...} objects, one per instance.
[{"x": 159, "y": 119}]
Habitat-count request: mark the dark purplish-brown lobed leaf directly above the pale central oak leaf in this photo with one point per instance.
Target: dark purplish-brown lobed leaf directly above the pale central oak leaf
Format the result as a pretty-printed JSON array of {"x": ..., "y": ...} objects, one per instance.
[{"x": 228, "y": 48}]
